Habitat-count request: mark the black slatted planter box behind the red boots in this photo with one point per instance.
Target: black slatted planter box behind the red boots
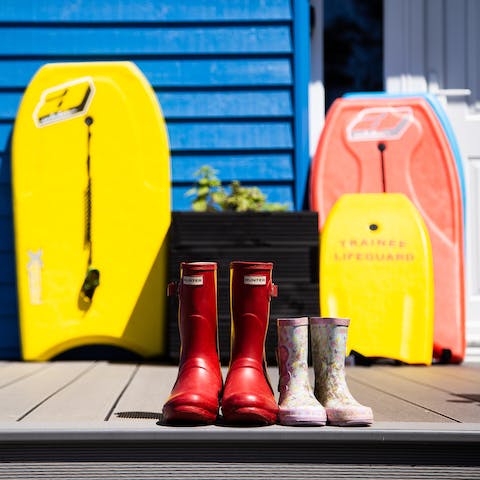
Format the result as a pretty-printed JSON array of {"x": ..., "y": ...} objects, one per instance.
[{"x": 288, "y": 239}]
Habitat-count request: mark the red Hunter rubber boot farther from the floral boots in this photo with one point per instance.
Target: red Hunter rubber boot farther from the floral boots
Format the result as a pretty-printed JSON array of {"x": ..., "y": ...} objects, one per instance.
[{"x": 195, "y": 395}]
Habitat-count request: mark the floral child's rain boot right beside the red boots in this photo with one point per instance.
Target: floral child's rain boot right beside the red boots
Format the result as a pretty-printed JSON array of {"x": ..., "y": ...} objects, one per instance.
[{"x": 297, "y": 403}]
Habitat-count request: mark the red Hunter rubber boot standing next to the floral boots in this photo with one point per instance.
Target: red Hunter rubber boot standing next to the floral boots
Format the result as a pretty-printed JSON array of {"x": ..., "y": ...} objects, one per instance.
[{"x": 248, "y": 396}]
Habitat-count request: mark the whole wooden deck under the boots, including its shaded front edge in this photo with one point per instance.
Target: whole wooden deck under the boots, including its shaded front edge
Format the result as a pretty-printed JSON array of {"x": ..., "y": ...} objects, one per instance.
[{"x": 80, "y": 412}]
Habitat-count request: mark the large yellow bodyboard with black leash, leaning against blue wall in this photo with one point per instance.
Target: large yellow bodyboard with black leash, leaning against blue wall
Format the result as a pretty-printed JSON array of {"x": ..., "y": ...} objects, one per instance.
[{"x": 91, "y": 189}]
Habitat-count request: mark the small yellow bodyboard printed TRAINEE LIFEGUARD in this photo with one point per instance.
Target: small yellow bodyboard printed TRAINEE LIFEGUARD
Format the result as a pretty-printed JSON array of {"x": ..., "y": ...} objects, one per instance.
[{"x": 376, "y": 269}]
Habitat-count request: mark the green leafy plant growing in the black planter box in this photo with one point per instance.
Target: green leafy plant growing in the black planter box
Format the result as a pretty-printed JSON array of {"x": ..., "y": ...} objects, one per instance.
[{"x": 210, "y": 196}]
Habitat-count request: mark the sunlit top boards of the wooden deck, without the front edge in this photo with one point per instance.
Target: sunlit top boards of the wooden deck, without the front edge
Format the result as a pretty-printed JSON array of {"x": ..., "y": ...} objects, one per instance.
[{"x": 130, "y": 394}]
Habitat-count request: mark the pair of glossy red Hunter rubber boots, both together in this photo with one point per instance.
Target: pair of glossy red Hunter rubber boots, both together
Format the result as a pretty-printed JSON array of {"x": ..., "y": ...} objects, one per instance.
[{"x": 247, "y": 396}]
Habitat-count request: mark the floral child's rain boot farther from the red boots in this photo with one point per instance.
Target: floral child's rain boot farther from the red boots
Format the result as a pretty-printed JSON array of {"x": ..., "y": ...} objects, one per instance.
[{"x": 329, "y": 338}]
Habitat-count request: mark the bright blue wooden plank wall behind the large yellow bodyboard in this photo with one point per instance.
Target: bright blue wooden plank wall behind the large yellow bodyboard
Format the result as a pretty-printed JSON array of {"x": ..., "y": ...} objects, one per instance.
[{"x": 231, "y": 77}]
